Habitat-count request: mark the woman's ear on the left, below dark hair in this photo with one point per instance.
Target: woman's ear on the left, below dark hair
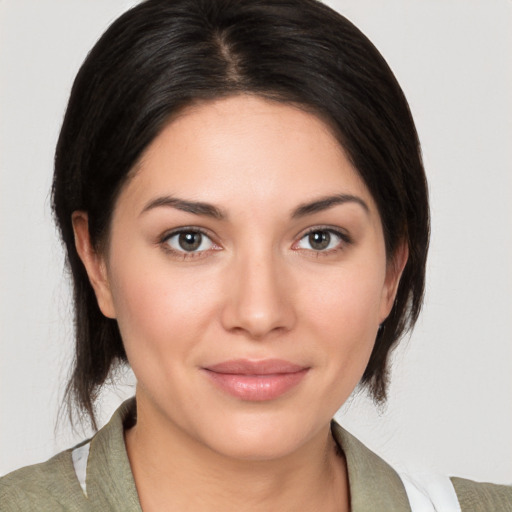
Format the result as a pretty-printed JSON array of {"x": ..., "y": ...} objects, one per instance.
[{"x": 94, "y": 263}]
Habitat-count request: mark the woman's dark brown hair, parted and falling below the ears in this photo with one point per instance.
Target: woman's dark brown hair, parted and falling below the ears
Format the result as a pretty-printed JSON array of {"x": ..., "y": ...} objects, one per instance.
[{"x": 163, "y": 55}]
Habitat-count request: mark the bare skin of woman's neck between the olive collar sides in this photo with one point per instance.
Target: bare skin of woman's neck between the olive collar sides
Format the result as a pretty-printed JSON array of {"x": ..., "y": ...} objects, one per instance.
[{"x": 174, "y": 472}]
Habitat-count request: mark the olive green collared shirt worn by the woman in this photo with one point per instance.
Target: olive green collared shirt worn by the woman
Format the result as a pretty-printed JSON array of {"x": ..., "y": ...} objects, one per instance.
[{"x": 53, "y": 486}]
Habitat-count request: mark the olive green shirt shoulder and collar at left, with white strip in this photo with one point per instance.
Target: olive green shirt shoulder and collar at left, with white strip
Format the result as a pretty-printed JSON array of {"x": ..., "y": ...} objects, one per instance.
[{"x": 95, "y": 475}]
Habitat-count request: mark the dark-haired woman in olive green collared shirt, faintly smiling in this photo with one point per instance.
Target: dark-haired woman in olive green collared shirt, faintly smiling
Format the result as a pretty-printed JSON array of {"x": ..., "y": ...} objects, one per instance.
[{"x": 240, "y": 191}]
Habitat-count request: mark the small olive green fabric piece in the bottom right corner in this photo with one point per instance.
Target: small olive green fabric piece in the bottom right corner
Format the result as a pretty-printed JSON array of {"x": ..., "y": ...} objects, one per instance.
[{"x": 482, "y": 497}]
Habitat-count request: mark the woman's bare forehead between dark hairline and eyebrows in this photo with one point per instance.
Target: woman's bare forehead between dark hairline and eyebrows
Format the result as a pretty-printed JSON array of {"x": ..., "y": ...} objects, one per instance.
[{"x": 249, "y": 149}]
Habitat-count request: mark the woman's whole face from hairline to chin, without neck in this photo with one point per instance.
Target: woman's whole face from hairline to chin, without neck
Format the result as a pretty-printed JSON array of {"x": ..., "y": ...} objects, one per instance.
[{"x": 247, "y": 271}]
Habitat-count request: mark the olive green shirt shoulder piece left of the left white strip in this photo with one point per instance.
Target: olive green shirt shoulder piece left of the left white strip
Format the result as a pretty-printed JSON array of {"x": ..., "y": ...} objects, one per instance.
[{"x": 52, "y": 485}]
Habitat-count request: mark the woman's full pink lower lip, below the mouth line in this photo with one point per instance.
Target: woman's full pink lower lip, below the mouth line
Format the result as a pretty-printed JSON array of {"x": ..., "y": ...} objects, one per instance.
[{"x": 257, "y": 388}]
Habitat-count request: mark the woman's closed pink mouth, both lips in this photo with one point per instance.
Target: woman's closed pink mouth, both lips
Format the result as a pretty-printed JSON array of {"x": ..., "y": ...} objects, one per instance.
[{"x": 256, "y": 381}]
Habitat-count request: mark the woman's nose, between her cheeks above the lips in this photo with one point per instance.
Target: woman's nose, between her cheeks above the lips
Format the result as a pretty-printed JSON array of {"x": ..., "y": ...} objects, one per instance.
[{"x": 259, "y": 301}]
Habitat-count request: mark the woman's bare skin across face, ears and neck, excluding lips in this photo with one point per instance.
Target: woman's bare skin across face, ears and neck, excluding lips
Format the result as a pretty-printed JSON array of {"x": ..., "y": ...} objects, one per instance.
[{"x": 256, "y": 289}]
